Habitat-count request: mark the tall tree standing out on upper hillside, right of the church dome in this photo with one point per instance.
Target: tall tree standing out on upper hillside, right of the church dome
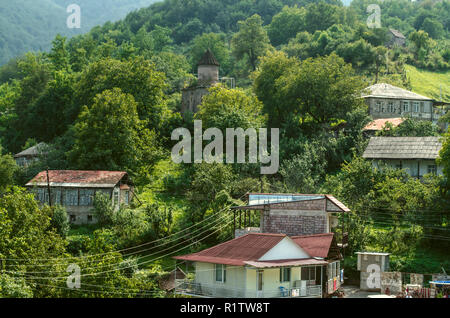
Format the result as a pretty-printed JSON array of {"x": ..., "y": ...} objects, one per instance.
[{"x": 251, "y": 41}]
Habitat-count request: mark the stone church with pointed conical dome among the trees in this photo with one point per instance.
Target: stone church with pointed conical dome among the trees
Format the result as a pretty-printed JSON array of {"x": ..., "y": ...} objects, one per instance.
[{"x": 207, "y": 76}]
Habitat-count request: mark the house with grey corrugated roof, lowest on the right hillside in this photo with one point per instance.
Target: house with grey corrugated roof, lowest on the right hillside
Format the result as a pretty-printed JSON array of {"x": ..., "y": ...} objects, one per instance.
[{"x": 417, "y": 155}]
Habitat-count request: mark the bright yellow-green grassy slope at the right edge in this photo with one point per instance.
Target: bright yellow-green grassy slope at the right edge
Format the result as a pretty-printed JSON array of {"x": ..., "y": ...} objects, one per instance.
[{"x": 429, "y": 83}]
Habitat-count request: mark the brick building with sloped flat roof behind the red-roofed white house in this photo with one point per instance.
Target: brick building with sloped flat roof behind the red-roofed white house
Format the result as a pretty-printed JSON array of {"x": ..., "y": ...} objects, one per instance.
[{"x": 290, "y": 214}]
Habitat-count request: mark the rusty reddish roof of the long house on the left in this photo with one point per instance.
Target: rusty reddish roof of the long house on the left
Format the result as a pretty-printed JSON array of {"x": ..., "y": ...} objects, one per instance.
[{"x": 78, "y": 177}]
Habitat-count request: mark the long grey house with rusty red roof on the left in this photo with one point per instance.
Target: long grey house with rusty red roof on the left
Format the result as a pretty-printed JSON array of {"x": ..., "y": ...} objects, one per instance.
[{"x": 75, "y": 190}]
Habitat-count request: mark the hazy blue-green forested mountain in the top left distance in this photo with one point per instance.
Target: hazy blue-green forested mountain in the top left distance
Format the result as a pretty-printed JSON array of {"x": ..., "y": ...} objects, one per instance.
[{"x": 30, "y": 25}]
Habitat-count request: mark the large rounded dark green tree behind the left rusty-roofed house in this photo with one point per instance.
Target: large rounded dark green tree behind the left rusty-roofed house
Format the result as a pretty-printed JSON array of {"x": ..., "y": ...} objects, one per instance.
[{"x": 110, "y": 136}]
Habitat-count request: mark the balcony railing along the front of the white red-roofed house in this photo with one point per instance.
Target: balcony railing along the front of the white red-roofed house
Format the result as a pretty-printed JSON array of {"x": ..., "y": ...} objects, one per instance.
[{"x": 190, "y": 288}]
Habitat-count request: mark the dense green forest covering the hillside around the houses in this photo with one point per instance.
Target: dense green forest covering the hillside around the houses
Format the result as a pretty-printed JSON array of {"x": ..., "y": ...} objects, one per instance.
[{"x": 109, "y": 99}]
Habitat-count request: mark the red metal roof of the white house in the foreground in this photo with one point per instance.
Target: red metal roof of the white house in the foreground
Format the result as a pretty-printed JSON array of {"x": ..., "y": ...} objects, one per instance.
[{"x": 248, "y": 249}]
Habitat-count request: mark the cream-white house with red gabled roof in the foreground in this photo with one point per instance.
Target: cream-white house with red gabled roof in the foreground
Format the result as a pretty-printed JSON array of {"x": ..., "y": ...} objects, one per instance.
[{"x": 262, "y": 265}]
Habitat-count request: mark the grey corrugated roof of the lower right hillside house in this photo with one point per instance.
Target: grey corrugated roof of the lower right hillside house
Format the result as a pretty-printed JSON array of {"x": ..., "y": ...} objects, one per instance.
[{"x": 403, "y": 148}]
